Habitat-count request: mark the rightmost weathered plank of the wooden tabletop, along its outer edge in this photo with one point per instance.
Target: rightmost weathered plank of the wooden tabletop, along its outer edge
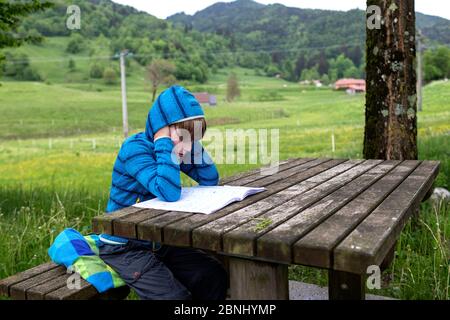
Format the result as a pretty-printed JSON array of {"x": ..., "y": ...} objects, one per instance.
[{"x": 369, "y": 242}]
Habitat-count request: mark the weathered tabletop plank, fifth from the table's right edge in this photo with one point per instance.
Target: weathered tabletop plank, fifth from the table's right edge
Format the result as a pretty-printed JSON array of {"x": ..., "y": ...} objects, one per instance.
[{"x": 209, "y": 236}]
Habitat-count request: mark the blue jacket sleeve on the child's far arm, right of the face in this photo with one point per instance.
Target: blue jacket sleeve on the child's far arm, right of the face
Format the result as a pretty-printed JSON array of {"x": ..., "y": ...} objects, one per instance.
[{"x": 201, "y": 167}]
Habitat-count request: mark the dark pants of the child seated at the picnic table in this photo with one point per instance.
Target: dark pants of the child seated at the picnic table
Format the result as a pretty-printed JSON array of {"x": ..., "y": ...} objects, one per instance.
[{"x": 168, "y": 273}]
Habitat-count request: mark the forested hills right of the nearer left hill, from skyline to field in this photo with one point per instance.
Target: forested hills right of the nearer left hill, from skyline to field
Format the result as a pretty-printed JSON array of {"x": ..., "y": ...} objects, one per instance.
[{"x": 298, "y": 43}]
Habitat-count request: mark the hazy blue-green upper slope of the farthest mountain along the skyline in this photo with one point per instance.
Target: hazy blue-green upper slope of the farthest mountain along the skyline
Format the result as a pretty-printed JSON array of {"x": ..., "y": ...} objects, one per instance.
[{"x": 252, "y": 23}]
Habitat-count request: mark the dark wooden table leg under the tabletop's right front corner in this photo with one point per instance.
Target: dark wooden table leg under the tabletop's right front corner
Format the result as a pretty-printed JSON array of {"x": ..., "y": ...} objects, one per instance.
[{"x": 345, "y": 286}]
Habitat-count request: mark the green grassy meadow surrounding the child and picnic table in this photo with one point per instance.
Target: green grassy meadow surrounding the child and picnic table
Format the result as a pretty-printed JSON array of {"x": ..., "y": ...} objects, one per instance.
[{"x": 58, "y": 141}]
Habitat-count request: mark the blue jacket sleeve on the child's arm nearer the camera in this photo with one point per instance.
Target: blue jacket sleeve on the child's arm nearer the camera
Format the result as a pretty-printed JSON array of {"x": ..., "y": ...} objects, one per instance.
[{"x": 159, "y": 175}]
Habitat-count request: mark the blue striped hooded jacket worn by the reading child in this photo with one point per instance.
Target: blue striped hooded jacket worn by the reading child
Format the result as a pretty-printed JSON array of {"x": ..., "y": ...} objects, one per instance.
[{"x": 144, "y": 168}]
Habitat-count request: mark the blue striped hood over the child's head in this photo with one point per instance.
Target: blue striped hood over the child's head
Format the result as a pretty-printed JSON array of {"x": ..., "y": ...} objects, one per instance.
[{"x": 172, "y": 105}]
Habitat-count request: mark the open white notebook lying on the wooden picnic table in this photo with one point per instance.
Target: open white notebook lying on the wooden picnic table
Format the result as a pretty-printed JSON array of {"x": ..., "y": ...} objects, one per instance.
[{"x": 202, "y": 199}]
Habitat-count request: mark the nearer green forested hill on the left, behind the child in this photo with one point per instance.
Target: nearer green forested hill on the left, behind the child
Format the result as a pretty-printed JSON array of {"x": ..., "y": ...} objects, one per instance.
[{"x": 123, "y": 27}]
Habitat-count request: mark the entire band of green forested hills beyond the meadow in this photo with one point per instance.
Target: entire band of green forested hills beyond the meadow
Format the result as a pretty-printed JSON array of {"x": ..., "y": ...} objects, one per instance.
[{"x": 297, "y": 44}]
